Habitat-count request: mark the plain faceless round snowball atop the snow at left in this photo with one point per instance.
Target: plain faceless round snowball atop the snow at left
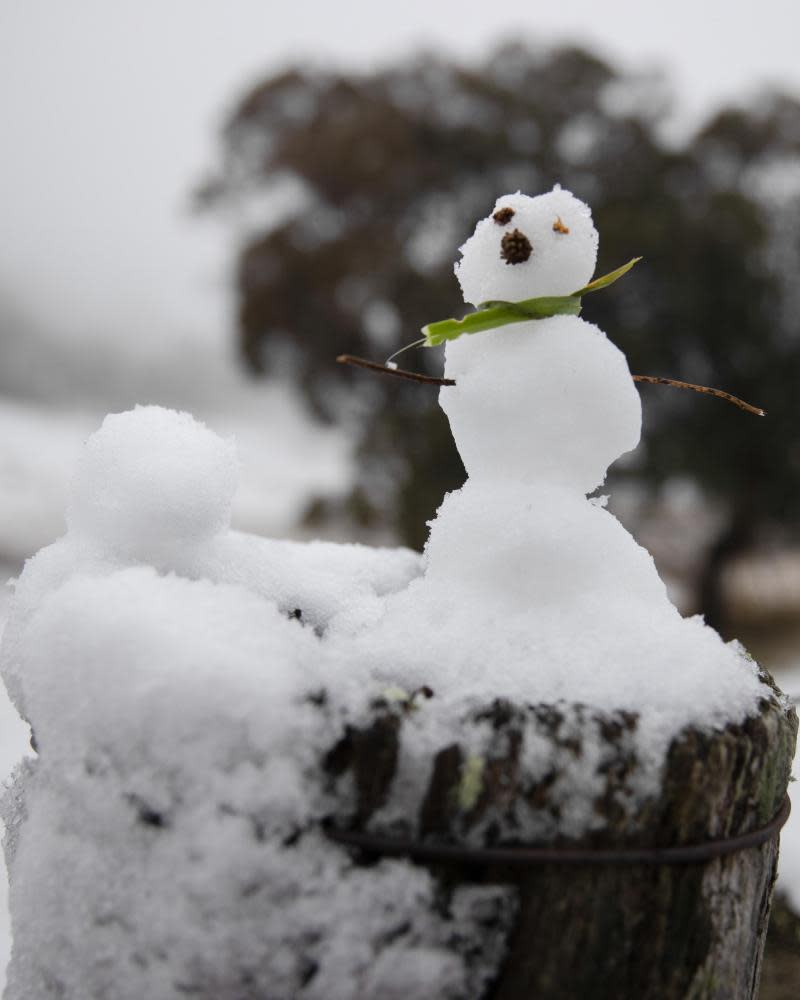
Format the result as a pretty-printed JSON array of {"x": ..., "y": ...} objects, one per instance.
[{"x": 152, "y": 479}]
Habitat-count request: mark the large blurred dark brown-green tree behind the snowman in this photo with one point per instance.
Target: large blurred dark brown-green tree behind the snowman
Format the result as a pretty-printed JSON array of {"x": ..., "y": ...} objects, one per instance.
[{"x": 356, "y": 190}]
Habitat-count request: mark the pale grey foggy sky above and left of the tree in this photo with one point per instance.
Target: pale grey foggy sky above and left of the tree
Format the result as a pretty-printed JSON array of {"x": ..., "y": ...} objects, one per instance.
[{"x": 108, "y": 111}]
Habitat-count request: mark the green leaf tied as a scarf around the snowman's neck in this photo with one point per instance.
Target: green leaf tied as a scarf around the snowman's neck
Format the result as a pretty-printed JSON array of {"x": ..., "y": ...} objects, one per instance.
[{"x": 492, "y": 314}]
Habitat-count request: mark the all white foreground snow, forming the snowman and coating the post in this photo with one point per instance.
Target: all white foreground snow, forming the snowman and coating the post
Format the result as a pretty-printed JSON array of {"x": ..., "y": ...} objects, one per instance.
[{"x": 172, "y": 671}]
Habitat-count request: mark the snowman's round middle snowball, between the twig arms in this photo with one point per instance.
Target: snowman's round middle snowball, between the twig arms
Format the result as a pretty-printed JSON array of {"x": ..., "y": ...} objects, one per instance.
[{"x": 549, "y": 400}]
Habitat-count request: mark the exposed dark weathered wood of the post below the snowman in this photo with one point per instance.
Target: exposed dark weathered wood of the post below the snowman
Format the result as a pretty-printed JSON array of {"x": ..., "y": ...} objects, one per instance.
[{"x": 604, "y": 927}]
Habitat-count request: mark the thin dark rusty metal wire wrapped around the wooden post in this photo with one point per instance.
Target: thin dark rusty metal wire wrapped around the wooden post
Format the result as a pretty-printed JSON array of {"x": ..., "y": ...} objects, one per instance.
[{"x": 680, "y": 855}]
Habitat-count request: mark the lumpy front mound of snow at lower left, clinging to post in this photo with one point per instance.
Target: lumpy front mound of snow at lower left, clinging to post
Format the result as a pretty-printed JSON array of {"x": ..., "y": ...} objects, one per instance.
[{"x": 172, "y": 810}]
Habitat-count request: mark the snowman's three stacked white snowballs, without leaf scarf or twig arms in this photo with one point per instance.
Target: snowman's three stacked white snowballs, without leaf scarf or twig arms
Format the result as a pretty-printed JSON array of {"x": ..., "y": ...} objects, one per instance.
[{"x": 539, "y": 411}]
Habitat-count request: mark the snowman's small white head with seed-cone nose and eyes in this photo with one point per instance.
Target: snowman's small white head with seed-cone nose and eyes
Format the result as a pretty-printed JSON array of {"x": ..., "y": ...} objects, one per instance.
[{"x": 529, "y": 247}]
